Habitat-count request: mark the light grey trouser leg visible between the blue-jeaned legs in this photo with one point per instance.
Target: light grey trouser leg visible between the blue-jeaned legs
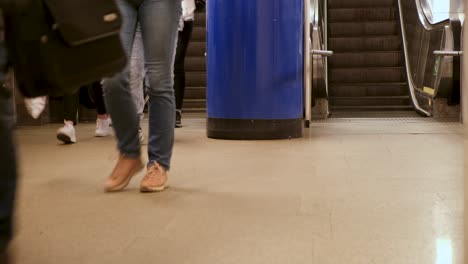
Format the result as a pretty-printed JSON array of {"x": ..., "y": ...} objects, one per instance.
[{"x": 137, "y": 76}]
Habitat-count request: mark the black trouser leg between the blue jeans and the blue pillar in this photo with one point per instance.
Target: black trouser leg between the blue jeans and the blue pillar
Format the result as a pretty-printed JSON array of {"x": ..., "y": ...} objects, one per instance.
[{"x": 179, "y": 64}]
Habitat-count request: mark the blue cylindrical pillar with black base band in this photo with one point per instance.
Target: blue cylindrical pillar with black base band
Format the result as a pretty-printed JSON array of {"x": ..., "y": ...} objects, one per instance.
[{"x": 255, "y": 69}]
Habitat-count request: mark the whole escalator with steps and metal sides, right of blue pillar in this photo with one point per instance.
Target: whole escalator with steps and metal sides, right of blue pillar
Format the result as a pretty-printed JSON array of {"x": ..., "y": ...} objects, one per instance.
[{"x": 389, "y": 56}]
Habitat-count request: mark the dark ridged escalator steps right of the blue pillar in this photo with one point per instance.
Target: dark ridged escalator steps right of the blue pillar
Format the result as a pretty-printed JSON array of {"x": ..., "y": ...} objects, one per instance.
[{"x": 366, "y": 72}]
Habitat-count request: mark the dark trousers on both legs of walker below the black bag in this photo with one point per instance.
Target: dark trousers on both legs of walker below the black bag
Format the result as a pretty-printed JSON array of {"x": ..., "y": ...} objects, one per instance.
[{"x": 71, "y": 103}]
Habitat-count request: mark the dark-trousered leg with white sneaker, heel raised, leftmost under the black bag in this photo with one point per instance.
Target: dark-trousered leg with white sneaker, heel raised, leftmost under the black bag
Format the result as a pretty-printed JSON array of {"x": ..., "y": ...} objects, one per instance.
[{"x": 67, "y": 133}]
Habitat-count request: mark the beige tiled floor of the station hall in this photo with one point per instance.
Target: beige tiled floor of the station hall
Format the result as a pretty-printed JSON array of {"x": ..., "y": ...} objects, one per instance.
[{"x": 348, "y": 192}]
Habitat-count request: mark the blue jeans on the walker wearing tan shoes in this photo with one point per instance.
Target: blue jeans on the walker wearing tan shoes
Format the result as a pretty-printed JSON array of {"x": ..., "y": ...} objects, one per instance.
[{"x": 158, "y": 20}]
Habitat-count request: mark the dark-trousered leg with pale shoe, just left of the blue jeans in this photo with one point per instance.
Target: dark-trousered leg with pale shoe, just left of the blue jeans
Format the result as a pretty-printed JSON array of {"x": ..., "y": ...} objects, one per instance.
[{"x": 103, "y": 121}]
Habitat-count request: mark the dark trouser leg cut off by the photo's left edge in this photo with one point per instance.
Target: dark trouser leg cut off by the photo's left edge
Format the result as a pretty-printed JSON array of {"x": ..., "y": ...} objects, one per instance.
[{"x": 7, "y": 168}]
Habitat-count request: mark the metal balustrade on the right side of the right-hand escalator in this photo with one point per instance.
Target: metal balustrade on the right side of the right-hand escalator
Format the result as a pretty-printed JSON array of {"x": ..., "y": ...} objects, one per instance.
[{"x": 432, "y": 76}]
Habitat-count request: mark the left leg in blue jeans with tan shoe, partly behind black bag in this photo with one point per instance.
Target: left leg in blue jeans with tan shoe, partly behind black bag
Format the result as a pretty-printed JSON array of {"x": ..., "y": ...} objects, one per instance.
[{"x": 121, "y": 107}]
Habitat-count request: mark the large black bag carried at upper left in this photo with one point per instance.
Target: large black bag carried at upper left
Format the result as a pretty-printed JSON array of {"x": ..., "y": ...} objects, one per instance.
[{"x": 57, "y": 46}]
